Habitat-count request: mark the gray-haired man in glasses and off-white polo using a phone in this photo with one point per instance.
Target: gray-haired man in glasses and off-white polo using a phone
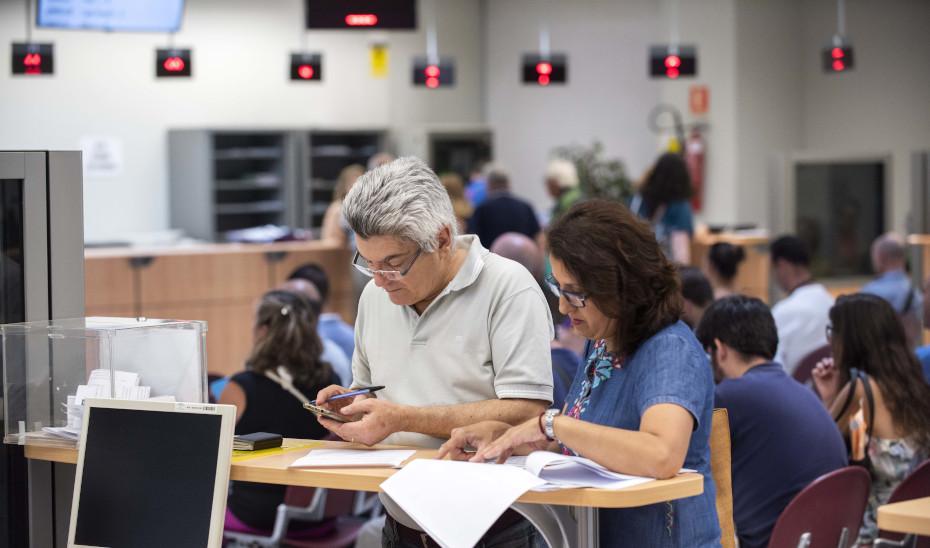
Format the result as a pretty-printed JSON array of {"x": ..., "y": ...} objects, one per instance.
[{"x": 454, "y": 333}]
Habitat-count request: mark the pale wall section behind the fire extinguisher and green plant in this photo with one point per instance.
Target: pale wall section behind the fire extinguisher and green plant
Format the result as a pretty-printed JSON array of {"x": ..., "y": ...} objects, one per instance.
[{"x": 609, "y": 94}]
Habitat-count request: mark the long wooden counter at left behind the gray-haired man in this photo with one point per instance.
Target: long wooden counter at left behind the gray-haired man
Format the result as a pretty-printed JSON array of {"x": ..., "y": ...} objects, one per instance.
[{"x": 217, "y": 283}]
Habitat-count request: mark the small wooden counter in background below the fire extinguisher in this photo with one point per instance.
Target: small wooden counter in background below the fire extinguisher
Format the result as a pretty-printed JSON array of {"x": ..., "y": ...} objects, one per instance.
[{"x": 752, "y": 277}]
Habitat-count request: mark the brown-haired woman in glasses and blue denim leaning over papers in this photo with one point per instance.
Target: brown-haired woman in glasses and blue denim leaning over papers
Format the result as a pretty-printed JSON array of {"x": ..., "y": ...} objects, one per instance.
[{"x": 642, "y": 403}]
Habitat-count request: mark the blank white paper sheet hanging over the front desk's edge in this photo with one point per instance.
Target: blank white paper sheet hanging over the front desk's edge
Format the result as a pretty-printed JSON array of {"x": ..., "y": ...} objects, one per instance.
[{"x": 457, "y": 502}]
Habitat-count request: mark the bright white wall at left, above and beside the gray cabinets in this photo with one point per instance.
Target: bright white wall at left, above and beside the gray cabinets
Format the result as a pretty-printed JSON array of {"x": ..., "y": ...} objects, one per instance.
[{"x": 104, "y": 85}]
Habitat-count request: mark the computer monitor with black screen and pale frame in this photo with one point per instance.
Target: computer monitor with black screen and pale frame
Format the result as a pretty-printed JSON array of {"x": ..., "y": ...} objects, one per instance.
[{"x": 152, "y": 474}]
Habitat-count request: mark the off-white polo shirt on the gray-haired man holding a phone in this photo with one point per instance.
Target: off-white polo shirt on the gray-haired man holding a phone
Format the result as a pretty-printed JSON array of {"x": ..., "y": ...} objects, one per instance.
[{"x": 485, "y": 336}]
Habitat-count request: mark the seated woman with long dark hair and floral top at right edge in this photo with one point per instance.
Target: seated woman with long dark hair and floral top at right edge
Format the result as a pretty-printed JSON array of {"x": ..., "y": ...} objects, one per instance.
[{"x": 874, "y": 388}]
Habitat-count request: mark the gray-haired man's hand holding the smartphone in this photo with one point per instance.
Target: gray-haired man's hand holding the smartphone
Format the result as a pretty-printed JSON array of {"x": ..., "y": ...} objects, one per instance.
[{"x": 379, "y": 419}]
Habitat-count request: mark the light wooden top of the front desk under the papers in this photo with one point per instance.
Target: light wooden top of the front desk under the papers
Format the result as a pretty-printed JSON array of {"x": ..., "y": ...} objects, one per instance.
[{"x": 271, "y": 466}]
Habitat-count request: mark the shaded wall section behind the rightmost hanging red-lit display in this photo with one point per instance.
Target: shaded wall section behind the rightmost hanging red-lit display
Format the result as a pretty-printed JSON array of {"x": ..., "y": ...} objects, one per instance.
[{"x": 883, "y": 105}]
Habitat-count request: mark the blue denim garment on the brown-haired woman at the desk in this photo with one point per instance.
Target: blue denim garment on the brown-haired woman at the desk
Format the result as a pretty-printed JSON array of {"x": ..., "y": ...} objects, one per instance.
[{"x": 669, "y": 367}]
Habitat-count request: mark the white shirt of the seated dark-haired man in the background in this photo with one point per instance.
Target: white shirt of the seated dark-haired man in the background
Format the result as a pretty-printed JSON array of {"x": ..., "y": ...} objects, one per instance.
[{"x": 801, "y": 320}]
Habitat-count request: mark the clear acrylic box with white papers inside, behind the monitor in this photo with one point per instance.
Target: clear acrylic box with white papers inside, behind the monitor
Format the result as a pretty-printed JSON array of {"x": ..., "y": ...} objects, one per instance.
[{"x": 50, "y": 366}]
